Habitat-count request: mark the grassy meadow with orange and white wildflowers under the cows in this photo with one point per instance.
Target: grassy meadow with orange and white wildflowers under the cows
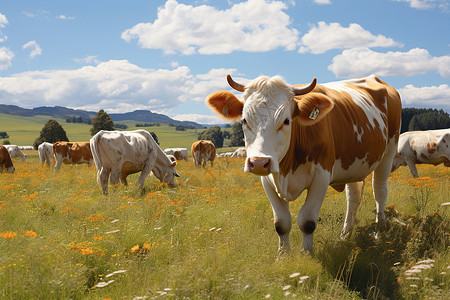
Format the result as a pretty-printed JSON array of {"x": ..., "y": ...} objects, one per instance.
[{"x": 212, "y": 236}]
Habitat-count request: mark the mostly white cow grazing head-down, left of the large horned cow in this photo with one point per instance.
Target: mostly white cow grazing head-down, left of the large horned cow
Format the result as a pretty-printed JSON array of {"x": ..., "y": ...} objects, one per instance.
[{"x": 121, "y": 153}]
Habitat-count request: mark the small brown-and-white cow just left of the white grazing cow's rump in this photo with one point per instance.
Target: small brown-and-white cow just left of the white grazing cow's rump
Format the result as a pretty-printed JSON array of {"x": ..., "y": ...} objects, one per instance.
[{"x": 72, "y": 153}]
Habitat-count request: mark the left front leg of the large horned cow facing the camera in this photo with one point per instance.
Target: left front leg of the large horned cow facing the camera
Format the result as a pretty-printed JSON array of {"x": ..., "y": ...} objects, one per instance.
[{"x": 281, "y": 215}]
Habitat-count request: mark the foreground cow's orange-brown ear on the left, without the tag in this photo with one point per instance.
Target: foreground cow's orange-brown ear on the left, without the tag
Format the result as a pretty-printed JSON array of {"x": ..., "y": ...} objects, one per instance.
[{"x": 227, "y": 105}]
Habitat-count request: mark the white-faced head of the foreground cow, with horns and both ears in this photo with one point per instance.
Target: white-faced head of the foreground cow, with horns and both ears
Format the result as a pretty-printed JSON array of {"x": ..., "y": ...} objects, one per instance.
[{"x": 268, "y": 109}]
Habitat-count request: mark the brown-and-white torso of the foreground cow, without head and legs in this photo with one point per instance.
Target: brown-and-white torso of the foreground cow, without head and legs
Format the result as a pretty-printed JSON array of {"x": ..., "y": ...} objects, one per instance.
[{"x": 365, "y": 118}]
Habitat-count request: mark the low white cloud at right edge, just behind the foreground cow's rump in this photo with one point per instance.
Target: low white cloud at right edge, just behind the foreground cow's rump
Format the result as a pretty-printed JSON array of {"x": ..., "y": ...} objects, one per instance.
[{"x": 428, "y": 97}]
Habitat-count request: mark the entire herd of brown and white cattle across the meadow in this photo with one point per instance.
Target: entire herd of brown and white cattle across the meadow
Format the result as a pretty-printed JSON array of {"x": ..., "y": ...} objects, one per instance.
[{"x": 303, "y": 137}]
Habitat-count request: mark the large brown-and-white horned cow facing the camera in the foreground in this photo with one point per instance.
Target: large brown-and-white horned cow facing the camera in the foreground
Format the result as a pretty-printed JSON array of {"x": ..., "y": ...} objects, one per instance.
[{"x": 311, "y": 136}]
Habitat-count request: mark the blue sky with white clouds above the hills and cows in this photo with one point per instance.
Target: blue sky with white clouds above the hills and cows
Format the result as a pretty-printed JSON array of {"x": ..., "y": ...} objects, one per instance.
[{"x": 167, "y": 56}]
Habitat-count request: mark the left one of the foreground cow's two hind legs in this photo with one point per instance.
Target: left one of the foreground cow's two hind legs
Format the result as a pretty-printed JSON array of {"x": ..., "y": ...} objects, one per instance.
[{"x": 354, "y": 193}]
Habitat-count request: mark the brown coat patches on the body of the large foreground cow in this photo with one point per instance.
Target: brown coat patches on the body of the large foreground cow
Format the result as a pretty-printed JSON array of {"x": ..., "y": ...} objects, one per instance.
[{"x": 333, "y": 138}]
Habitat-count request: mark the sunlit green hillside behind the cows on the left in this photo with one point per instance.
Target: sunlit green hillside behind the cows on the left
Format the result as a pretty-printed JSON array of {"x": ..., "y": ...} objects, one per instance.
[{"x": 23, "y": 131}]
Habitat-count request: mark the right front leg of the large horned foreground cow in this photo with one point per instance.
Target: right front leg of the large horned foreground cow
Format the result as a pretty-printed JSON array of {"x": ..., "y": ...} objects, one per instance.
[{"x": 309, "y": 213}]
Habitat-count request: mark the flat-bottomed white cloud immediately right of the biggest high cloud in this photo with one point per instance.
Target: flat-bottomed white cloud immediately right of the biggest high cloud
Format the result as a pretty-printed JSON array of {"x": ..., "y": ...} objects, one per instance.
[{"x": 325, "y": 37}]
